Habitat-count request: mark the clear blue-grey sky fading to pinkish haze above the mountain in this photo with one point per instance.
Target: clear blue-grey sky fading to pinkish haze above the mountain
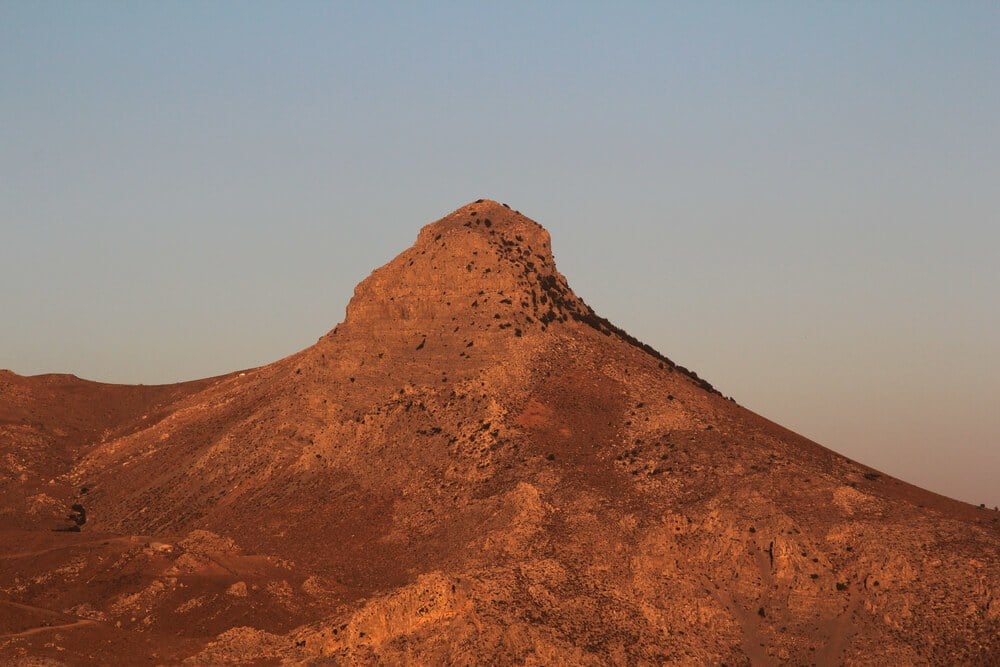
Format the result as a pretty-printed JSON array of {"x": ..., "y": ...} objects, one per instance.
[{"x": 799, "y": 201}]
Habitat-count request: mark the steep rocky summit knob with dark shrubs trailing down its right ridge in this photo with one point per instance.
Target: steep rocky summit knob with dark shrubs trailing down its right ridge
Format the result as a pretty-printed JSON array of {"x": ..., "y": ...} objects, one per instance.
[{"x": 484, "y": 269}]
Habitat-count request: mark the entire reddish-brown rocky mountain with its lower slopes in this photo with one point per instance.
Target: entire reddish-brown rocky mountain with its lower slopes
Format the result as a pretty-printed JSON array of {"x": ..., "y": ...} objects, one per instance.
[{"x": 474, "y": 467}]
